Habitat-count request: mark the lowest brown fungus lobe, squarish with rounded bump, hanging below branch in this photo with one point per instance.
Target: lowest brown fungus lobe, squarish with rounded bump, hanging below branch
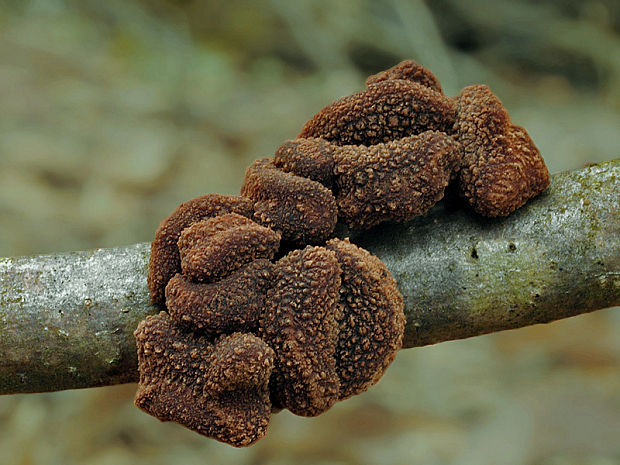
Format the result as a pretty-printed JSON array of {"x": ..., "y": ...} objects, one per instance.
[{"x": 218, "y": 390}]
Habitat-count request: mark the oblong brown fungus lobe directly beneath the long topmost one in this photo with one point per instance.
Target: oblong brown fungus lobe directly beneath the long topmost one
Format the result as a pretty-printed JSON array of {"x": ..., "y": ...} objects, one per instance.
[{"x": 393, "y": 181}]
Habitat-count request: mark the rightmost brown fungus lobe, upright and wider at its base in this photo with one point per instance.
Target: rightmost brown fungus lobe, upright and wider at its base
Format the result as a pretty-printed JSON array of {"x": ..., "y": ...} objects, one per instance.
[{"x": 501, "y": 168}]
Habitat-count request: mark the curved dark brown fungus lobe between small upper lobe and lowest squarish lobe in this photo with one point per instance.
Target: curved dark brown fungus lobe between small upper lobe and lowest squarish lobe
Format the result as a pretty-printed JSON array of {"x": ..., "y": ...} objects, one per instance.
[{"x": 233, "y": 304}]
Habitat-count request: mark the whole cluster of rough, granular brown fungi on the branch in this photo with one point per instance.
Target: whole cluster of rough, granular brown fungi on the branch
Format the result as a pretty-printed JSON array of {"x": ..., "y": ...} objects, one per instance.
[{"x": 266, "y": 309}]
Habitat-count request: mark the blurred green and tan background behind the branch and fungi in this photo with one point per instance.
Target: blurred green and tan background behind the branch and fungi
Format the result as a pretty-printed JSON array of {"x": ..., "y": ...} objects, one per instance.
[{"x": 114, "y": 112}]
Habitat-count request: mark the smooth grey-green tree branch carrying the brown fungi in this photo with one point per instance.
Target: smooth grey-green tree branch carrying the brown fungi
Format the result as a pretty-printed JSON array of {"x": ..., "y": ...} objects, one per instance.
[{"x": 66, "y": 320}]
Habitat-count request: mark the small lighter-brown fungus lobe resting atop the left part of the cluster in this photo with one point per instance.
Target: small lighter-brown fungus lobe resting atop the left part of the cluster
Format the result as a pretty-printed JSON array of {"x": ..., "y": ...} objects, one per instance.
[{"x": 214, "y": 247}]
